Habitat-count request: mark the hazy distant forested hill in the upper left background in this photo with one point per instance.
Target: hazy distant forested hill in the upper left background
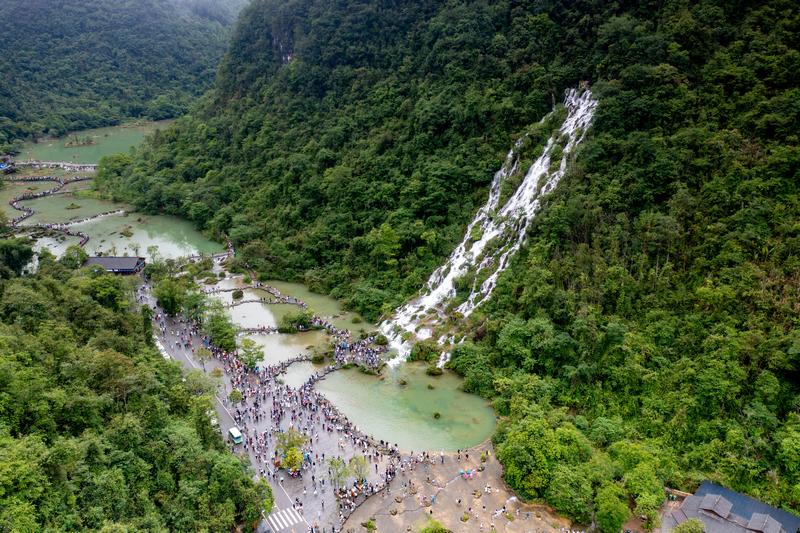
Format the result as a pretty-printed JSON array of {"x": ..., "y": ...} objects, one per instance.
[{"x": 75, "y": 64}]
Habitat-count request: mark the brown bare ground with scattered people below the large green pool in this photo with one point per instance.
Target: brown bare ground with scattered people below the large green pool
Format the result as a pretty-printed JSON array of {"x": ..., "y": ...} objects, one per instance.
[{"x": 408, "y": 507}]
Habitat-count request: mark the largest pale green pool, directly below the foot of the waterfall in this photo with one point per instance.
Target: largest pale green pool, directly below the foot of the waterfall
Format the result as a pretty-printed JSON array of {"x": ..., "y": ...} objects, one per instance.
[{"x": 404, "y": 414}]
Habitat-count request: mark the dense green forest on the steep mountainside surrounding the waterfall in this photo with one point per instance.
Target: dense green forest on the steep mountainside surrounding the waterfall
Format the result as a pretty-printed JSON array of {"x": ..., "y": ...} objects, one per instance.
[{"x": 647, "y": 332}]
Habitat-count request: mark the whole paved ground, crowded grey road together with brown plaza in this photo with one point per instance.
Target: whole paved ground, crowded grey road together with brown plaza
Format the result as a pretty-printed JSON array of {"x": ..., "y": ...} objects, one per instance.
[{"x": 420, "y": 485}]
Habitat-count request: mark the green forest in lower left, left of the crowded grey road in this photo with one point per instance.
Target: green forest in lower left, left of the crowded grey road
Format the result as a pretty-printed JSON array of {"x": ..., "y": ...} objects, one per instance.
[{"x": 97, "y": 431}]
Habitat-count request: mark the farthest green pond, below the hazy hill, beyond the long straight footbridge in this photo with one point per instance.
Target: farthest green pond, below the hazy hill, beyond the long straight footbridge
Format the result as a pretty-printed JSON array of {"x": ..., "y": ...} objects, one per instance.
[{"x": 110, "y": 140}]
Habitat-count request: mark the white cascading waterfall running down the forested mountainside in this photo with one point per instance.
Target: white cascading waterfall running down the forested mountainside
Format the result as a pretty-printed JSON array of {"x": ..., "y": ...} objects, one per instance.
[{"x": 507, "y": 226}]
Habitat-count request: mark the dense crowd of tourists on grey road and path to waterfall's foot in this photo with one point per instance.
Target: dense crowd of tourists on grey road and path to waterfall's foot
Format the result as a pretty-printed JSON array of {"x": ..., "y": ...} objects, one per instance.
[{"x": 269, "y": 407}]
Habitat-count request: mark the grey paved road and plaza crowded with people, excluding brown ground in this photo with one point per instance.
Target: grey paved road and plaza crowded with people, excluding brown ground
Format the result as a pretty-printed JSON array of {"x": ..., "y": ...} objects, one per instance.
[{"x": 271, "y": 407}]
